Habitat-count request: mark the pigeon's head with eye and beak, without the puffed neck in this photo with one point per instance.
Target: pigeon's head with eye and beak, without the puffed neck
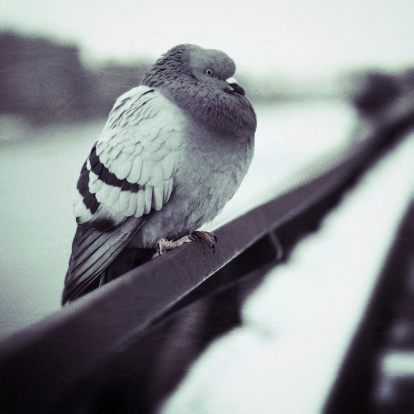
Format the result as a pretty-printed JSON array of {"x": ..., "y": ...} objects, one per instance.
[{"x": 209, "y": 67}]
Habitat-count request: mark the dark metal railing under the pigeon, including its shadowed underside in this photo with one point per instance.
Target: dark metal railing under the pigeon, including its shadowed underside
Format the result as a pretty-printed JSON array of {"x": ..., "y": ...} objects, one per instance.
[{"x": 125, "y": 346}]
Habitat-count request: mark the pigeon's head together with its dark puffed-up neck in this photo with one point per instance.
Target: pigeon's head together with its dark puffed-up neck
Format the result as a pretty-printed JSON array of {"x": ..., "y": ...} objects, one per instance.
[{"x": 200, "y": 81}]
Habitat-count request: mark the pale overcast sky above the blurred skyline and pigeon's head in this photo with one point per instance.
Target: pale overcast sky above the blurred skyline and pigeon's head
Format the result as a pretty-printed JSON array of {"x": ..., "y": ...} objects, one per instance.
[{"x": 286, "y": 36}]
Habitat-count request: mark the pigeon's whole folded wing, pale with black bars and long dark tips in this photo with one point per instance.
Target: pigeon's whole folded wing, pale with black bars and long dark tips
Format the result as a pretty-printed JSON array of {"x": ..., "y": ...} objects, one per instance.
[{"x": 129, "y": 172}]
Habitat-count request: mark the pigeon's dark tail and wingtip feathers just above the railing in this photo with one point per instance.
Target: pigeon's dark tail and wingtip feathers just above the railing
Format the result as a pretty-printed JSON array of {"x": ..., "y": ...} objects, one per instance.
[{"x": 94, "y": 260}]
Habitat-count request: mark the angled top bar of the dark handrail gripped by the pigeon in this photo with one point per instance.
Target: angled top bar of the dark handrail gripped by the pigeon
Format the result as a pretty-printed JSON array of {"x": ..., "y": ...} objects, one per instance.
[{"x": 39, "y": 364}]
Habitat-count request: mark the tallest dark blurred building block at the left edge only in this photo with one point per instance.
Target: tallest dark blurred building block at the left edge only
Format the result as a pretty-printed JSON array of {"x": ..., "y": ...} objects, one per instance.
[{"x": 41, "y": 79}]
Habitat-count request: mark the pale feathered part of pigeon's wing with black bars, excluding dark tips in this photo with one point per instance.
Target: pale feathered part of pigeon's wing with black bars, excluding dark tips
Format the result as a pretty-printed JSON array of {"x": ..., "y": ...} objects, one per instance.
[{"x": 133, "y": 154}]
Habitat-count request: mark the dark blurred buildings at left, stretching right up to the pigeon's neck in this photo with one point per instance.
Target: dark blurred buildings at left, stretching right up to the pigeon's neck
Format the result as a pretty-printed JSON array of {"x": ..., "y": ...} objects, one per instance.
[{"x": 46, "y": 81}]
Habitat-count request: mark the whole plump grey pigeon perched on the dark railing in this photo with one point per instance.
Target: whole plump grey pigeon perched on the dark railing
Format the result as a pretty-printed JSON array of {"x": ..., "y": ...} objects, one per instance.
[{"x": 173, "y": 152}]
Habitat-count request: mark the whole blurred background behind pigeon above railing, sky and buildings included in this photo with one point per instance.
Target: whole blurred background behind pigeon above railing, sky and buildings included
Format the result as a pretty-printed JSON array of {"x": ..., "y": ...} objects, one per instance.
[{"x": 63, "y": 63}]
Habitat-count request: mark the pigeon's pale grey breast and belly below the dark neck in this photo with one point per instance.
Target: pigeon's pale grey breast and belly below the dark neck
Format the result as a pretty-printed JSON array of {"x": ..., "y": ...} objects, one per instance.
[{"x": 208, "y": 174}]
